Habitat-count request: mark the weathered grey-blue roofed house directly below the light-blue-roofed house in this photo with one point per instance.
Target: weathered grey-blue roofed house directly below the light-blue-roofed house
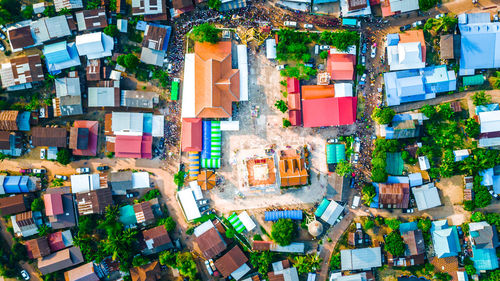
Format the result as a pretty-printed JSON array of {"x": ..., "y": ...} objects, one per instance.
[{"x": 68, "y": 100}]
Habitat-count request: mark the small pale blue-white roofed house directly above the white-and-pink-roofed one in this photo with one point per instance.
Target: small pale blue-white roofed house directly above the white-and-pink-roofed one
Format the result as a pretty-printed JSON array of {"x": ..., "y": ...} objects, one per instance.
[{"x": 107, "y": 95}]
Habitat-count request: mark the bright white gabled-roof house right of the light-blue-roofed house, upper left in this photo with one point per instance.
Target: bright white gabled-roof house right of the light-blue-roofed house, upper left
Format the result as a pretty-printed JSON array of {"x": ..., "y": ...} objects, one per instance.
[{"x": 94, "y": 45}]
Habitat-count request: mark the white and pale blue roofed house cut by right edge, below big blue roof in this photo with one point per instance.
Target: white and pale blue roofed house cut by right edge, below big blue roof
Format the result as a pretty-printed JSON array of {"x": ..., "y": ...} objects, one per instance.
[{"x": 490, "y": 128}]
